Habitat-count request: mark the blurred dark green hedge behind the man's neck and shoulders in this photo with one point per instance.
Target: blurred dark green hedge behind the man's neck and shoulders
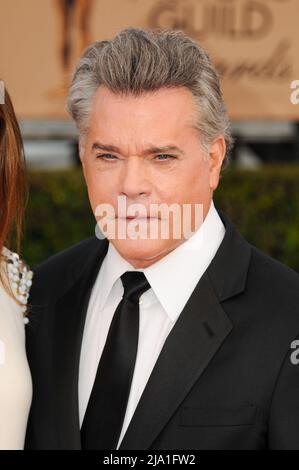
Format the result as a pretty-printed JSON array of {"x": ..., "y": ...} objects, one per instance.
[{"x": 263, "y": 204}]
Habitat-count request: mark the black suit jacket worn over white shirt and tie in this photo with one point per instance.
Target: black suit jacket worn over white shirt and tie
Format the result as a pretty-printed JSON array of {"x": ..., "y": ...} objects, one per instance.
[{"x": 225, "y": 379}]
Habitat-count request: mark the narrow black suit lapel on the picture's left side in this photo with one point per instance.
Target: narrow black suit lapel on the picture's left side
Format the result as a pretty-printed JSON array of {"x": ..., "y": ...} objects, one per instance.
[{"x": 70, "y": 316}]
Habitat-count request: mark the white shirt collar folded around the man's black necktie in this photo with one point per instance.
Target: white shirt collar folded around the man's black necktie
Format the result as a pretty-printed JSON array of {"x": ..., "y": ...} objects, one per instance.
[{"x": 174, "y": 277}]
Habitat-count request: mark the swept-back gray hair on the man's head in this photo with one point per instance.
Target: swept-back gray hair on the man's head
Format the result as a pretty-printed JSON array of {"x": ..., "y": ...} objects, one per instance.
[{"x": 136, "y": 61}]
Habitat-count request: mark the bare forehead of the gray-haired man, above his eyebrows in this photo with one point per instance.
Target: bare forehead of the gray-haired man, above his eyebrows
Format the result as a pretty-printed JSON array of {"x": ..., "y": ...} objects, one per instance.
[{"x": 144, "y": 121}]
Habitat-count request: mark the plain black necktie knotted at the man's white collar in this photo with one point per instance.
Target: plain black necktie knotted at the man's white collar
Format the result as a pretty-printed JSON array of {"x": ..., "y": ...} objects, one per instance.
[{"x": 107, "y": 404}]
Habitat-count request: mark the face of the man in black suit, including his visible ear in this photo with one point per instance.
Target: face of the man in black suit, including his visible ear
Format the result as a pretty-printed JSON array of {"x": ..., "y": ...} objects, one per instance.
[{"x": 147, "y": 150}]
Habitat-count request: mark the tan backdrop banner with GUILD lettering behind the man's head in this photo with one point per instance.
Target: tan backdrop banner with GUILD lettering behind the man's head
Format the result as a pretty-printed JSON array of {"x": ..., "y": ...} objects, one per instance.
[{"x": 253, "y": 43}]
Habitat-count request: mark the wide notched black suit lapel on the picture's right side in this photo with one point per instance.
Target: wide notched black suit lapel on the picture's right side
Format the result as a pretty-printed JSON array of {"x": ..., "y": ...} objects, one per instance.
[{"x": 192, "y": 343}]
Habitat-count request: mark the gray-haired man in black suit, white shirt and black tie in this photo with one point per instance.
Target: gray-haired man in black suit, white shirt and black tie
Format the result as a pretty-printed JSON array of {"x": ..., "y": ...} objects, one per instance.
[{"x": 159, "y": 342}]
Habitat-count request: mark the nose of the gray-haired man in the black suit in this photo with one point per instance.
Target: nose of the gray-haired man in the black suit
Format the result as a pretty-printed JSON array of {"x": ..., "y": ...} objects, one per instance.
[{"x": 134, "y": 178}]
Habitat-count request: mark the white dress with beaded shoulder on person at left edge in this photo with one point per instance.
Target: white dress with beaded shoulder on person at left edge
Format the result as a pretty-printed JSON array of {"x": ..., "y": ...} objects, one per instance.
[{"x": 15, "y": 378}]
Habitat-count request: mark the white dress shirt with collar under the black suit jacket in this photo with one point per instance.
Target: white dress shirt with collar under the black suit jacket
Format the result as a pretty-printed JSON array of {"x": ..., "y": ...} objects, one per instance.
[{"x": 172, "y": 280}]
